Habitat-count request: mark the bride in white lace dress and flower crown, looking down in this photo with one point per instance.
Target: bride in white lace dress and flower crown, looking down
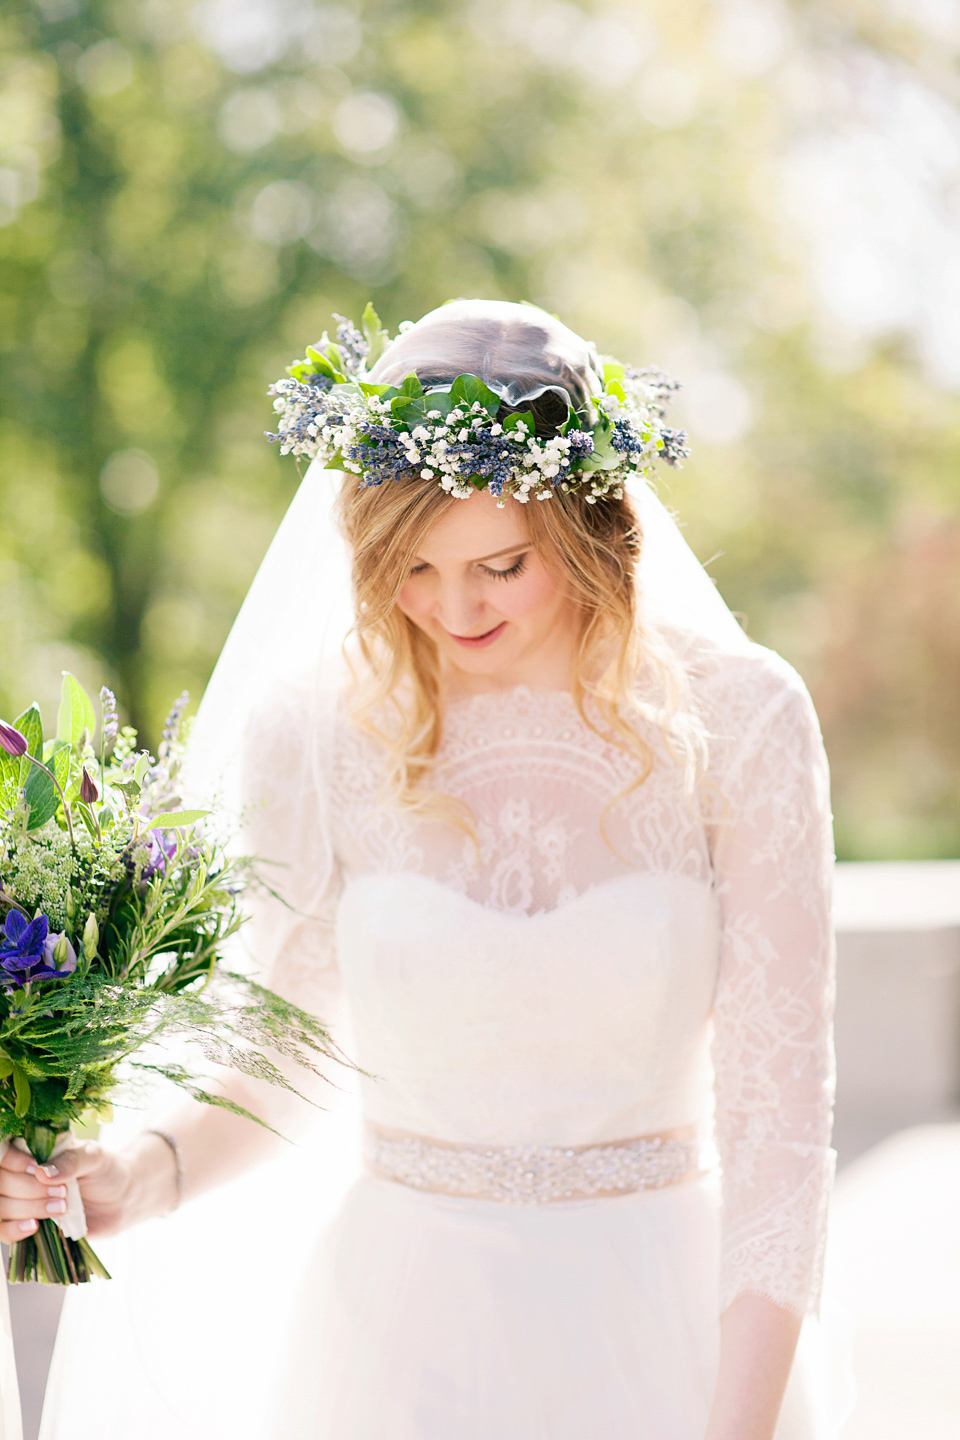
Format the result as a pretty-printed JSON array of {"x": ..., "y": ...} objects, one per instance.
[{"x": 562, "y": 837}]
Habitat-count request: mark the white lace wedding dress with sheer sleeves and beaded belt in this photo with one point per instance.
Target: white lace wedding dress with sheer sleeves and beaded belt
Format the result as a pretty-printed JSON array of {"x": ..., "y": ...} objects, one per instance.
[{"x": 563, "y": 1023}]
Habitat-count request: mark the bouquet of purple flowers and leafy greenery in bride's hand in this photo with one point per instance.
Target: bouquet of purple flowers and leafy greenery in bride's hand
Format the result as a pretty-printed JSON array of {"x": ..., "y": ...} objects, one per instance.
[{"x": 116, "y": 905}]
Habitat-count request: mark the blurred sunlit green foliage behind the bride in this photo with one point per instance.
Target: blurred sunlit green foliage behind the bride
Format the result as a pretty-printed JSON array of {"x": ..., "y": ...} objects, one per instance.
[{"x": 761, "y": 197}]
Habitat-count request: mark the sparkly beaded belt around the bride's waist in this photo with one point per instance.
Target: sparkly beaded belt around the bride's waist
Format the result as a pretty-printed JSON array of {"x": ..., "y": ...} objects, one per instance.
[{"x": 532, "y": 1174}]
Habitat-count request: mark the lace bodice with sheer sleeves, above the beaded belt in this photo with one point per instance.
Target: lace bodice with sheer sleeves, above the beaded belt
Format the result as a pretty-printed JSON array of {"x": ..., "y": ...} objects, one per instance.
[{"x": 604, "y": 960}]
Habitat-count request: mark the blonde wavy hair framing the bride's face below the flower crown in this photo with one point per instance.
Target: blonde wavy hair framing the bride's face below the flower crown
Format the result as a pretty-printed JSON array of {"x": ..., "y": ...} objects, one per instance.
[{"x": 594, "y": 551}]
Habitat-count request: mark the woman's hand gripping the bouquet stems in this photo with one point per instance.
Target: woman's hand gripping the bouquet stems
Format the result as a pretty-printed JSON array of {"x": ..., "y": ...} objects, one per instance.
[{"x": 119, "y": 1189}]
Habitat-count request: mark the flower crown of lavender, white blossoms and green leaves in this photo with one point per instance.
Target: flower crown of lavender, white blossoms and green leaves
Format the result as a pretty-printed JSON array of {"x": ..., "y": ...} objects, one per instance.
[{"x": 330, "y": 411}]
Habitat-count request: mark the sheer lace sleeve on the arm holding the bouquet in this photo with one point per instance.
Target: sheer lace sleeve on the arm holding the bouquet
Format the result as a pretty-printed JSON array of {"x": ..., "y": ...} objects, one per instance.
[{"x": 290, "y": 934}]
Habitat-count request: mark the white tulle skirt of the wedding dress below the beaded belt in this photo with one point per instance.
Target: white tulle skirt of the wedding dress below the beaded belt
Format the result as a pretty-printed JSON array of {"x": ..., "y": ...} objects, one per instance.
[{"x": 431, "y": 1318}]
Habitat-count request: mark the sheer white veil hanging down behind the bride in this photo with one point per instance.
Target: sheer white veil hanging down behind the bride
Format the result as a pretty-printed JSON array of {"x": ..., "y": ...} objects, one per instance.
[{"x": 192, "y": 1338}]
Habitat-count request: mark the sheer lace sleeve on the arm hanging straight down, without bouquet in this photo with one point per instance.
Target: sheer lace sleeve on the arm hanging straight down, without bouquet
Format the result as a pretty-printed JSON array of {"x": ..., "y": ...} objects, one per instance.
[{"x": 774, "y": 1055}]
